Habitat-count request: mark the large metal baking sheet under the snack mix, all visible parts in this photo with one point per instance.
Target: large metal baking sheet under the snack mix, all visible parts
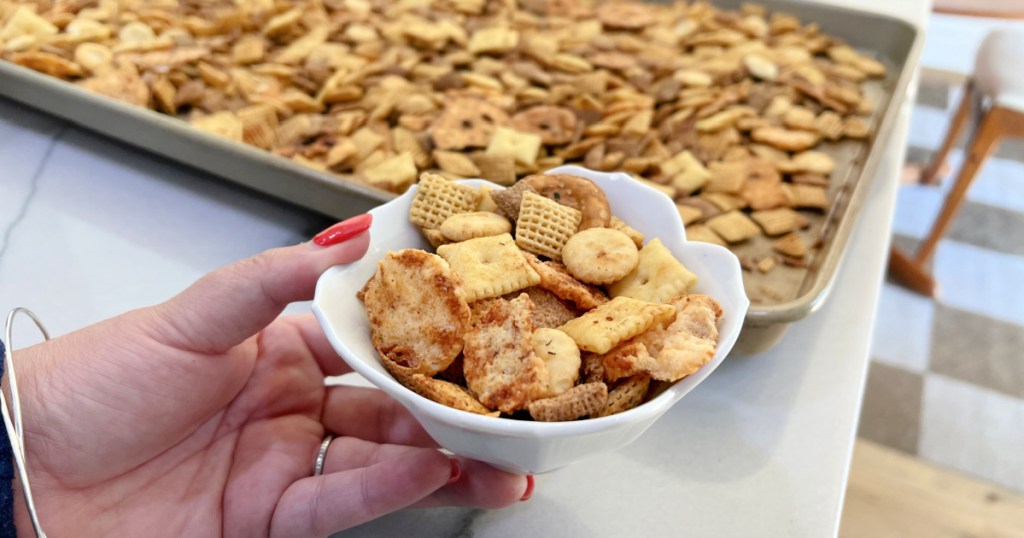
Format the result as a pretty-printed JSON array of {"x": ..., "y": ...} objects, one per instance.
[{"x": 784, "y": 296}]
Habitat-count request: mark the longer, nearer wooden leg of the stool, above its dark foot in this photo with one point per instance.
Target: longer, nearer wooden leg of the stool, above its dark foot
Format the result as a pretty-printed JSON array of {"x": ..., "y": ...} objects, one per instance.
[{"x": 983, "y": 145}]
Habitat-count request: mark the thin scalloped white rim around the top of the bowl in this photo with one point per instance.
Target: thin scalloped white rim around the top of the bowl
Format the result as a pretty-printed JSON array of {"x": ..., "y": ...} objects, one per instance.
[{"x": 507, "y": 427}]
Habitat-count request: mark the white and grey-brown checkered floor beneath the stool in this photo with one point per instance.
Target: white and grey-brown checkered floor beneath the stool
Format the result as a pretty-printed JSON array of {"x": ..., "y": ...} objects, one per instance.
[{"x": 947, "y": 381}]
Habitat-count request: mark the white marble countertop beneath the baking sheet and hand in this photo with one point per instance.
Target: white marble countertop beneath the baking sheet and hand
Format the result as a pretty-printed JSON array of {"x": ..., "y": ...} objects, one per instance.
[{"x": 92, "y": 228}]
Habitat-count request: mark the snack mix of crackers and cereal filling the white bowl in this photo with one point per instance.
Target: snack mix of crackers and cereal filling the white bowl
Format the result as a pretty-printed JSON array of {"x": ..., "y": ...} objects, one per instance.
[{"x": 549, "y": 315}]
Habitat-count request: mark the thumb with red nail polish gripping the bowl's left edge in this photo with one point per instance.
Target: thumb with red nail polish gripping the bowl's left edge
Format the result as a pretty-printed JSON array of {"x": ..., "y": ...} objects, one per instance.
[{"x": 225, "y": 308}]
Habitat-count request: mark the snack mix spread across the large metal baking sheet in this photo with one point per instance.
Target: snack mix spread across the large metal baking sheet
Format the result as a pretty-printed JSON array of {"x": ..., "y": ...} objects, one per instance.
[{"x": 723, "y": 111}]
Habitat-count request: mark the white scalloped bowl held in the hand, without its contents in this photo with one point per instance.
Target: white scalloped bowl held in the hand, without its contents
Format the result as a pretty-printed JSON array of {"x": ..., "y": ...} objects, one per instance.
[{"x": 521, "y": 446}]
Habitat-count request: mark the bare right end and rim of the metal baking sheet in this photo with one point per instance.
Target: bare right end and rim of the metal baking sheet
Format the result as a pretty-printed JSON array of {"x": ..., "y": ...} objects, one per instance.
[{"x": 789, "y": 295}]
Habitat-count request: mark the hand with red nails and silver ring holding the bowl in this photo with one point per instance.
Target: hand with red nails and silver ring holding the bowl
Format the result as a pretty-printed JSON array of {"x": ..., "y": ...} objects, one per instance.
[{"x": 203, "y": 417}]
